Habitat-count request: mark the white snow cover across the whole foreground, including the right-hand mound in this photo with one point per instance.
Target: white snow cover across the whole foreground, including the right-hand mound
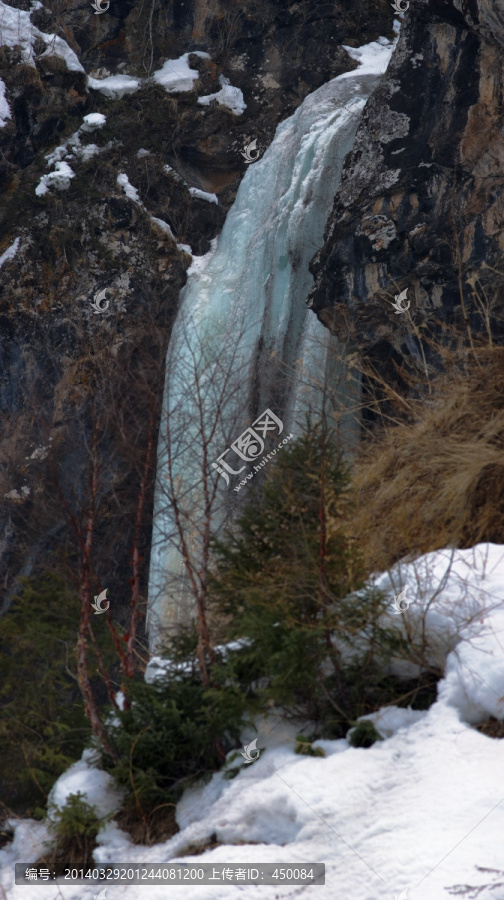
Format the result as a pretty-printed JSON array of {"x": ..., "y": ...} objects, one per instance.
[{"x": 418, "y": 816}]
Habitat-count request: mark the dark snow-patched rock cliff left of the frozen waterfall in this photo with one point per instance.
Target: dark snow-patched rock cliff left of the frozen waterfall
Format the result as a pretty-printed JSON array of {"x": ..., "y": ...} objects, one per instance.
[{"x": 112, "y": 210}]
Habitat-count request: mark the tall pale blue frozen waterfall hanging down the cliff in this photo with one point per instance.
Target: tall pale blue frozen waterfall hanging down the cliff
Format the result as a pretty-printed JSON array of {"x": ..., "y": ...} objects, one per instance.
[{"x": 244, "y": 340}]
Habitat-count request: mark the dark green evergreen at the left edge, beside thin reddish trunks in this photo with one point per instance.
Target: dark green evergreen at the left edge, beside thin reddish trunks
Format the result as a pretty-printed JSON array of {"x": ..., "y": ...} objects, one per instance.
[{"x": 43, "y": 727}]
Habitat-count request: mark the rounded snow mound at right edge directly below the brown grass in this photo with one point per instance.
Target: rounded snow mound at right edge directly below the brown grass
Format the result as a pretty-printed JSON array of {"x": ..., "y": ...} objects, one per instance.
[{"x": 458, "y": 598}]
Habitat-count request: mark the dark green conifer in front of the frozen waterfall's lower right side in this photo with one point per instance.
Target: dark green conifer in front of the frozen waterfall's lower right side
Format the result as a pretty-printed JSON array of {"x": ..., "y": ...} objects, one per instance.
[{"x": 289, "y": 580}]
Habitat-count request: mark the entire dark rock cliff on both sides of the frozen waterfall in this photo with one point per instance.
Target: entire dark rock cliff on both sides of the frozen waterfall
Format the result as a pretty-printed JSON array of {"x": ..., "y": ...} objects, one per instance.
[{"x": 420, "y": 207}]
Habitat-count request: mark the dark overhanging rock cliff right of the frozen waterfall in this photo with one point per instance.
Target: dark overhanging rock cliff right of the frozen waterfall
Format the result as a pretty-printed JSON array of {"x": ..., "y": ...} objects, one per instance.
[{"x": 421, "y": 204}]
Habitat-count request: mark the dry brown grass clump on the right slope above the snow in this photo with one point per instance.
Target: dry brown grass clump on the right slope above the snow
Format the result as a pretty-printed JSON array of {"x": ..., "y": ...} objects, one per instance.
[{"x": 436, "y": 480}]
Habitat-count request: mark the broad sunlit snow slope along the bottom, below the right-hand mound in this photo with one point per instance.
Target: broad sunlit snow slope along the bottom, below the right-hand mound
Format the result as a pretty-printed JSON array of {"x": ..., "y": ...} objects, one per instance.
[{"x": 413, "y": 813}]
